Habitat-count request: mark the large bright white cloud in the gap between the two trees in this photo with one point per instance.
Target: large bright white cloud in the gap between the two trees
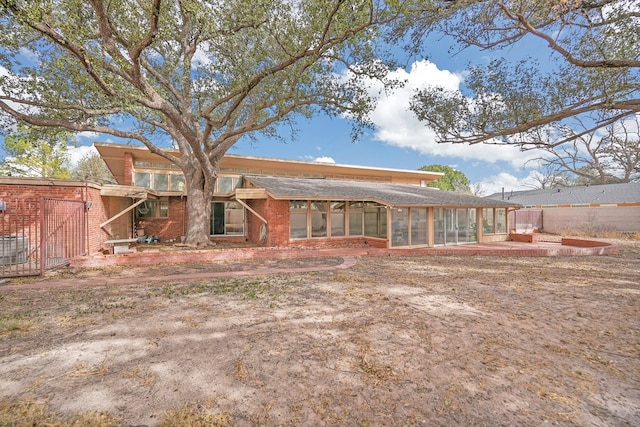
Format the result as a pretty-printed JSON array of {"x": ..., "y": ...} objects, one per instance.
[{"x": 396, "y": 125}]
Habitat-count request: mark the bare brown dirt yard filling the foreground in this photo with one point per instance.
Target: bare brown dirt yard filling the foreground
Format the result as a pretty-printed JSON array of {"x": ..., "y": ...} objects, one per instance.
[{"x": 388, "y": 341}]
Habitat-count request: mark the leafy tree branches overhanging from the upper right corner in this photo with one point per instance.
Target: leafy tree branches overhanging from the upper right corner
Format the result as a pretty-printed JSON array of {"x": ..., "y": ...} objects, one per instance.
[{"x": 591, "y": 65}]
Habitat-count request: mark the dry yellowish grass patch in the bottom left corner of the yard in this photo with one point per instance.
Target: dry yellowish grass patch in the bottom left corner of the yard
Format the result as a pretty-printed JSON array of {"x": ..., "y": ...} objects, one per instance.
[{"x": 33, "y": 413}]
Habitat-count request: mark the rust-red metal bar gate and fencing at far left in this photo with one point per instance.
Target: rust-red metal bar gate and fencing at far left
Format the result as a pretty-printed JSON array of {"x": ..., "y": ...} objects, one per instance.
[{"x": 39, "y": 234}]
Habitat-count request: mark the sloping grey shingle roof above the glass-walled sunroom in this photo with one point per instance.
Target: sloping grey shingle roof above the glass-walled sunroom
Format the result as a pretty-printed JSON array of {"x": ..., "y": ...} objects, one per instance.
[{"x": 385, "y": 193}]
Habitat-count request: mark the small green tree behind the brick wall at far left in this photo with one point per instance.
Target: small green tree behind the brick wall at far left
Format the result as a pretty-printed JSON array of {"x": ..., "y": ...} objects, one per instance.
[{"x": 37, "y": 152}]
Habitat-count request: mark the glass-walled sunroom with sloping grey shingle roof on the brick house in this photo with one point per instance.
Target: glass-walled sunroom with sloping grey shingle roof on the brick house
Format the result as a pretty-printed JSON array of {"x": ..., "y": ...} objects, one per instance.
[{"x": 398, "y": 214}]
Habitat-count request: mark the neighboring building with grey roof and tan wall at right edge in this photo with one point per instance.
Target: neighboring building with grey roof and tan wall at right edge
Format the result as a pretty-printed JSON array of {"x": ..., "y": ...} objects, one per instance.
[{"x": 608, "y": 207}]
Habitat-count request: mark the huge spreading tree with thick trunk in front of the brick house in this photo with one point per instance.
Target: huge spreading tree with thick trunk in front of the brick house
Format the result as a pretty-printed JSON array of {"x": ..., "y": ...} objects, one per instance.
[{"x": 196, "y": 75}]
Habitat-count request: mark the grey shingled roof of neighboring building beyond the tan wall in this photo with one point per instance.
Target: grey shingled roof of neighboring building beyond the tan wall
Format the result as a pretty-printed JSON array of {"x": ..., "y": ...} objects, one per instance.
[{"x": 582, "y": 195}]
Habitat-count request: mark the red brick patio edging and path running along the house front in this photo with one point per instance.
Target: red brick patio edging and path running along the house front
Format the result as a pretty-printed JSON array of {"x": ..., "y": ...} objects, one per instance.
[{"x": 348, "y": 255}]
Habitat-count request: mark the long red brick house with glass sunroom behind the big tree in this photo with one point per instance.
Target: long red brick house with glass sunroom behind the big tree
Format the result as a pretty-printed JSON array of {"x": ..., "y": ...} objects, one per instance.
[{"x": 269, "y": 202}]
